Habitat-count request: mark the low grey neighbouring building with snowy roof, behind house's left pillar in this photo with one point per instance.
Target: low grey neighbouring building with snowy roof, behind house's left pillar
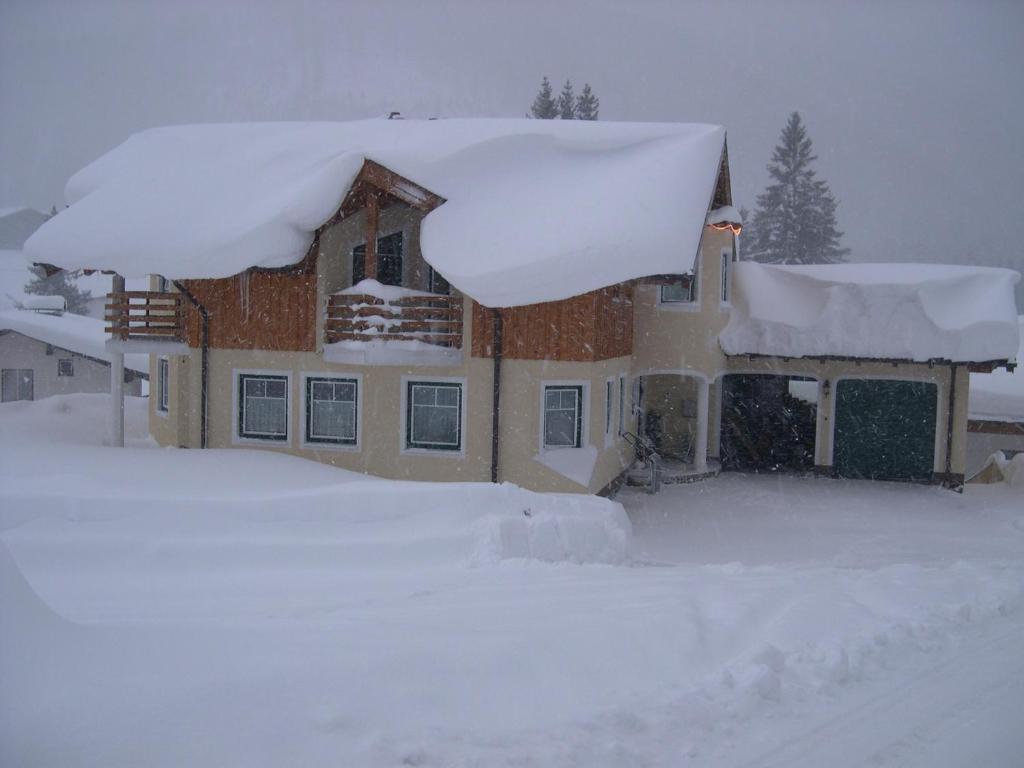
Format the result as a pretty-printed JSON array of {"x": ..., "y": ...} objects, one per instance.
[{"x": 45, "y": 352}]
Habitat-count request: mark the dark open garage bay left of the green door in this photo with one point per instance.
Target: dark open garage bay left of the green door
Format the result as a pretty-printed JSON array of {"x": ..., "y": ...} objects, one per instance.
[{"x": 769, "y": 423}]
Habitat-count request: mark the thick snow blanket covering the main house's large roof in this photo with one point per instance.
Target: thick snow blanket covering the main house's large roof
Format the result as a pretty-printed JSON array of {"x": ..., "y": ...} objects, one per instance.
[{"x": 536, "y": 210}]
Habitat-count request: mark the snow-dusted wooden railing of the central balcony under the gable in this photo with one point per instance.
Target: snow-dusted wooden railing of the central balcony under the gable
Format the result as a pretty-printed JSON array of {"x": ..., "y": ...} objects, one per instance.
[{"x": 432, "y": 319}]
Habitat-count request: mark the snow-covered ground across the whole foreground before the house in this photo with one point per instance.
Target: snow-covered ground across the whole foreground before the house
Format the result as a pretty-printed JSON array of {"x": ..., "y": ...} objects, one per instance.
[{"x": 238, "y": 608}]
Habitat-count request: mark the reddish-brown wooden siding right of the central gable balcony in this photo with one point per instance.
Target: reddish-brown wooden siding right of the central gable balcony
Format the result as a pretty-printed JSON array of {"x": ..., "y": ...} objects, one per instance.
[{"x": 595, "y": 326}]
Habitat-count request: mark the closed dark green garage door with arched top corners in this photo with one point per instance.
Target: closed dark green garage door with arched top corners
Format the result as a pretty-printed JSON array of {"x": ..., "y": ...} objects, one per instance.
[{"x": 885, "y": 430}]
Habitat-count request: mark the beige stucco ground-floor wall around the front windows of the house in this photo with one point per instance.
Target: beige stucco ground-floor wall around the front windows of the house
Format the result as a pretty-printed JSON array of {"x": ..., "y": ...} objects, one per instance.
[{"x": 381, "y": 451}]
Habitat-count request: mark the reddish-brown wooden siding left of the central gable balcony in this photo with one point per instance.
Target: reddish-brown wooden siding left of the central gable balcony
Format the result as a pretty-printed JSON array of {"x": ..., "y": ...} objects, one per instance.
[{"x": 259, "y": 310}]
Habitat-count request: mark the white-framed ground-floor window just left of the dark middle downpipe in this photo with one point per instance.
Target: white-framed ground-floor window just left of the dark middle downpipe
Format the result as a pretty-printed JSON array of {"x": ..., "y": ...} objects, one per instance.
[{"x": 434, "y": 415}]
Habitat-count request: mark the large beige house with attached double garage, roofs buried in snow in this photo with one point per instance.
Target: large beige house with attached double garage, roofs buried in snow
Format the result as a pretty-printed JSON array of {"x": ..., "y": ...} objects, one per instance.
[{"x": 535, "y": 302}]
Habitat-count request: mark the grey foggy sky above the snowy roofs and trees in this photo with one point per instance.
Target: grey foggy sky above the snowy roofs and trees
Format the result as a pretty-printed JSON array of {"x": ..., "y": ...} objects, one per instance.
[{"x": 915, "y": 108}]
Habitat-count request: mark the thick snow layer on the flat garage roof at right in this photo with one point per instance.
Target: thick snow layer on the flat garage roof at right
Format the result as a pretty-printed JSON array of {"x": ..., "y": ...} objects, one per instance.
[{"x": 889, "y": 312}]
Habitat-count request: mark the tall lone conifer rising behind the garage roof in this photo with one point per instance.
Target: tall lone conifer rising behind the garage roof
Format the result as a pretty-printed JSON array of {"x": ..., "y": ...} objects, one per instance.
[{"x": 795, "y": 221}]
